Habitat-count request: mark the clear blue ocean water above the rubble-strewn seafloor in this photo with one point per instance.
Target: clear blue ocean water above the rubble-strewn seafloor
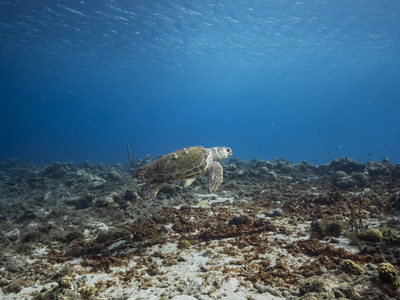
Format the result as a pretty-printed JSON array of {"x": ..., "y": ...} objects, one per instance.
[{"x": 301, "y": 80}]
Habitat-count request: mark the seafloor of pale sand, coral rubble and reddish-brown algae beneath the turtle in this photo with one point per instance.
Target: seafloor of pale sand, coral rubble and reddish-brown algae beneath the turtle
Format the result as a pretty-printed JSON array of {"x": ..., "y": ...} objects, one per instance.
[{"x": 274, "y": 230}]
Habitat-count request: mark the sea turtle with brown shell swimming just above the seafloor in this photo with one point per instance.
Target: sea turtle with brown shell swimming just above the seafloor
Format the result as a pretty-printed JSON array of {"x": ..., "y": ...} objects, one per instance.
[{"x": 188, "y": 164}]
